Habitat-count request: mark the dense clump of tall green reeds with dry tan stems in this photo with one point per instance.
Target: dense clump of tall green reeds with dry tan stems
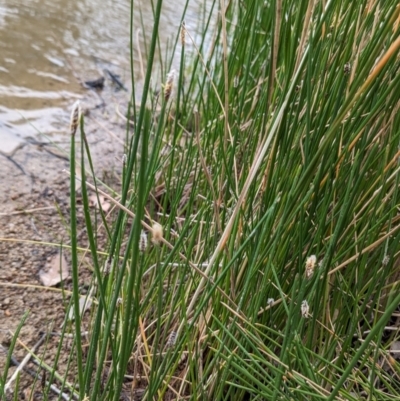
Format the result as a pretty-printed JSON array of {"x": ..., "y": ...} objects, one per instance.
[{"x": 255, "y": 251}]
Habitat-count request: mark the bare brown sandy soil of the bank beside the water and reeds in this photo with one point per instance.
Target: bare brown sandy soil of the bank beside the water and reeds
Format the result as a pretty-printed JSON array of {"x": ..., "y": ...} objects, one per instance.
[{"x": 34, "y": 219}]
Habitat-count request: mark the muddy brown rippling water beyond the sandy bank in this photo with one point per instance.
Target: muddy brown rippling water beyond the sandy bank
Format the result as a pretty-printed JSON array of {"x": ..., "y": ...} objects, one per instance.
[{"x": 46, "y": 44}]
